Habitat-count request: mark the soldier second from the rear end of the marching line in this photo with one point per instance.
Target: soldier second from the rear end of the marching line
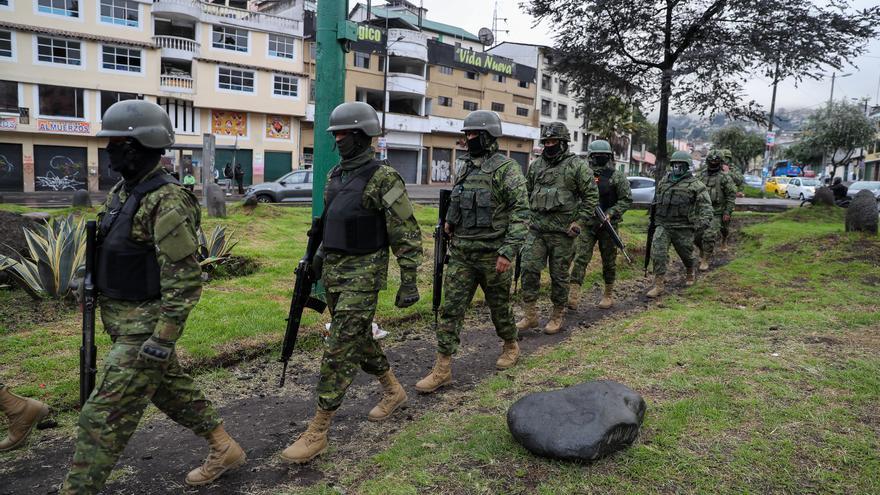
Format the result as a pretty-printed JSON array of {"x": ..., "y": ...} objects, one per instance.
[{"x": 722, "y": 191}]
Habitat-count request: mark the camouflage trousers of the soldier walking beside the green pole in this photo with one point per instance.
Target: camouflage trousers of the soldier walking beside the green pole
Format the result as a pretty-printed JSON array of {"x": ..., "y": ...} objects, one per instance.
[{"x": 350, "y": 345}]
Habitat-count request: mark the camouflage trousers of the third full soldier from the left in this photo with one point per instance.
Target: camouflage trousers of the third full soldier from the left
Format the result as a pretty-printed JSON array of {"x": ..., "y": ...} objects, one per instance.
[{"x": 468, "y": 270}]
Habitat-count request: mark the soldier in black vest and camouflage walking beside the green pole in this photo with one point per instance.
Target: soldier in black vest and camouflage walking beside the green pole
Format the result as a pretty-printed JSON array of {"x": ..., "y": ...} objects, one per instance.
[{"x": 367, "y": 211}]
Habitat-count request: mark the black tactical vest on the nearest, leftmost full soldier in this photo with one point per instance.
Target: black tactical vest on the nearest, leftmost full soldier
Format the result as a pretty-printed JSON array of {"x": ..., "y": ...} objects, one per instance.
[{"x": 127, "y": 269}]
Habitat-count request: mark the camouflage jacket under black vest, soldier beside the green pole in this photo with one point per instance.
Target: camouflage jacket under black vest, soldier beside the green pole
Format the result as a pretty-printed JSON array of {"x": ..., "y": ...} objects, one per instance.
[{"x": 369, "y": 272}]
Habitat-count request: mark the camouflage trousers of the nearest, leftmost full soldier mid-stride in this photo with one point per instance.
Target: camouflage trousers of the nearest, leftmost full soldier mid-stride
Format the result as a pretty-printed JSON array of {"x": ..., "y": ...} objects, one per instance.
[{"x": 111, "y": 414}]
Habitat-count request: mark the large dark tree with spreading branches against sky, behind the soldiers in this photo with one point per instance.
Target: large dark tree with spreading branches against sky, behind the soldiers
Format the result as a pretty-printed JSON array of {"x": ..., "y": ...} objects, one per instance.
[{"x": 696, "y": 53}]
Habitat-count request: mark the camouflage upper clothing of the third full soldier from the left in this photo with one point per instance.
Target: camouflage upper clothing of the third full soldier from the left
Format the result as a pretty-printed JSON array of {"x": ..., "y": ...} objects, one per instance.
[{"x": 489, "y": 207}]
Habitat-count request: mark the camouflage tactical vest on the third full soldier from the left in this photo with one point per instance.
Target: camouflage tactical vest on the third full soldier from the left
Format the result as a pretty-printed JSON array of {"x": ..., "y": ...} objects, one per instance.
[{"x": 472, "y": 205}]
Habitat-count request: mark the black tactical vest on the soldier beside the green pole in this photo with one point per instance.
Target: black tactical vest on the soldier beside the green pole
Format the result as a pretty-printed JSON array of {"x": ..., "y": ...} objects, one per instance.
[{"x": 350, "y": 228}]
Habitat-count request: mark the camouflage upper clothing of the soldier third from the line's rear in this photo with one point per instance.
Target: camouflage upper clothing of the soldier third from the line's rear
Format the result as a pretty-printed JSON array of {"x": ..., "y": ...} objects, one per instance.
[{"x": 682, "y": 203}]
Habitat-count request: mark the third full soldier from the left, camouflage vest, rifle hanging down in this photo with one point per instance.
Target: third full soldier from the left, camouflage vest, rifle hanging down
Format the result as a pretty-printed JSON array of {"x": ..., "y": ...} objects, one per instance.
[{"x": 487, "y": 223}]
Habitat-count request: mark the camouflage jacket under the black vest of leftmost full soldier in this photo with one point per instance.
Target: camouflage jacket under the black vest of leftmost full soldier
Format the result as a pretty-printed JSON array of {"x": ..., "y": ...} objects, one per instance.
[{"x": 181, "y": 281}]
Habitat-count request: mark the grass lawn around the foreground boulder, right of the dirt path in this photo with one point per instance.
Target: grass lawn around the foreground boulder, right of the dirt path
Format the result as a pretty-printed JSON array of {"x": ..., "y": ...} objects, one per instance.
[{"x": 762, "y": 378}]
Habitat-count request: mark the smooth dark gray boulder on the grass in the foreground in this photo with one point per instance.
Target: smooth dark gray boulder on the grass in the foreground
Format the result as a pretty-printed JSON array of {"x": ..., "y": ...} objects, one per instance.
[{"x": 583, "y": 422}]
